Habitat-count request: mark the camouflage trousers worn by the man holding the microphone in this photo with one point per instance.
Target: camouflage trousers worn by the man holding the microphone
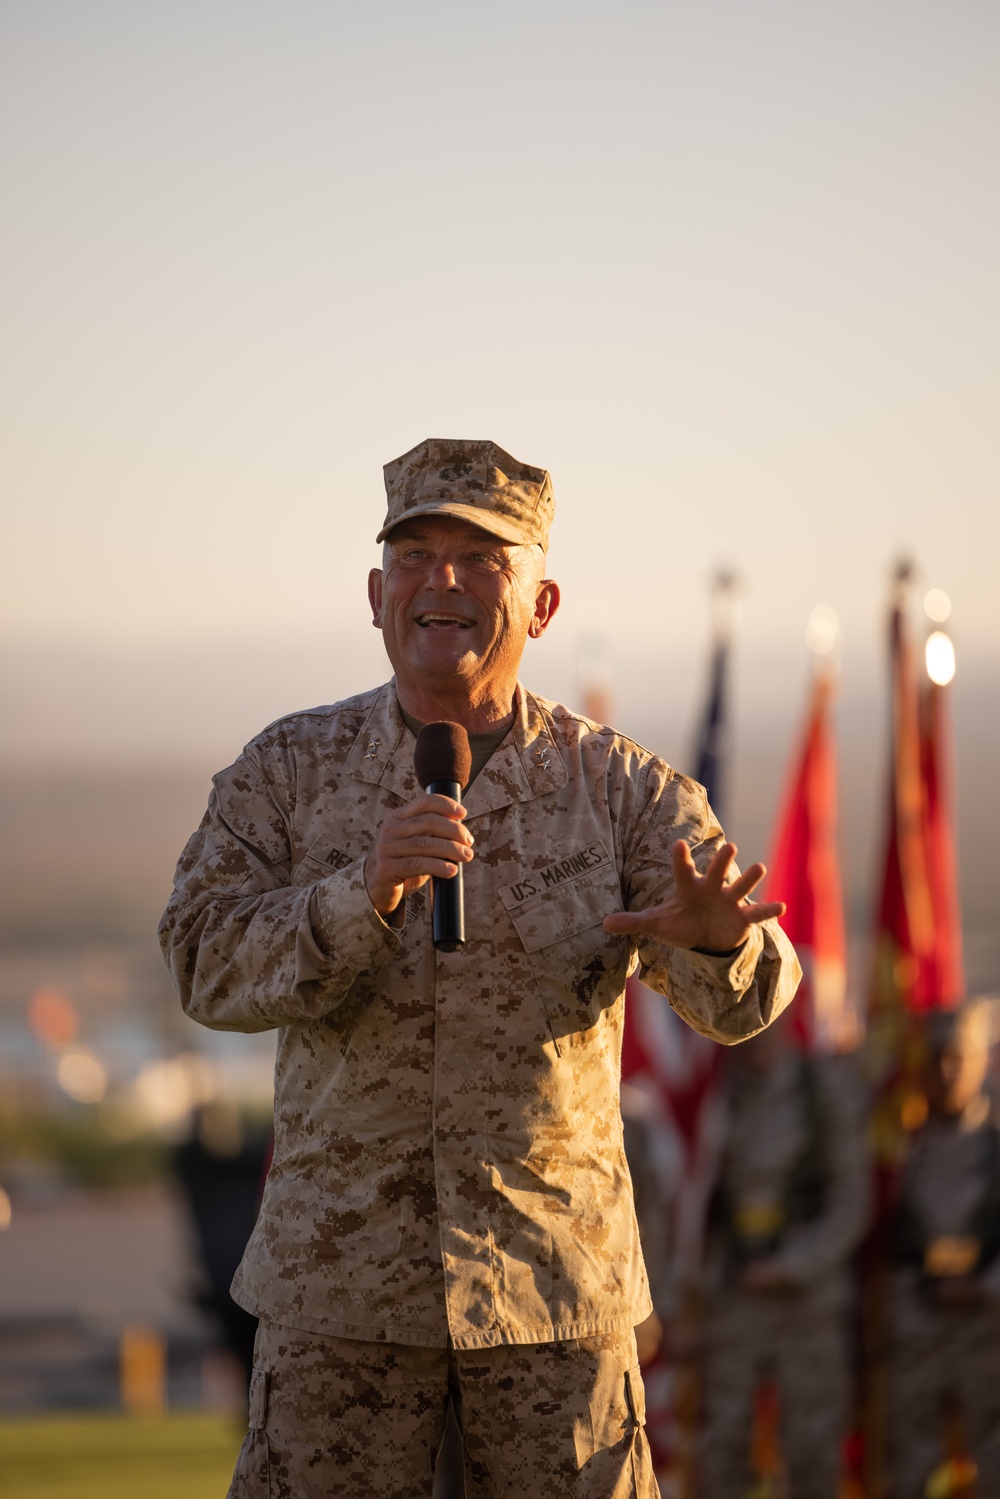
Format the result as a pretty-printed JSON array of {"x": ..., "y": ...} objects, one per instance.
[{"x": 334, "y": 1416}]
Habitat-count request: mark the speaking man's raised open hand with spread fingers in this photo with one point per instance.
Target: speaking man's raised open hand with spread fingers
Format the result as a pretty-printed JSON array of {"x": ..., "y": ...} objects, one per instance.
[{"x": 702, "y": 911}]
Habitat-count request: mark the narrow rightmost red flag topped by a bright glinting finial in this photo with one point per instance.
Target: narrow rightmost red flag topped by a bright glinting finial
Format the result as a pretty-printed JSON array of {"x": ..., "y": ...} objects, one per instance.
[{"x": 944, "y": 981}]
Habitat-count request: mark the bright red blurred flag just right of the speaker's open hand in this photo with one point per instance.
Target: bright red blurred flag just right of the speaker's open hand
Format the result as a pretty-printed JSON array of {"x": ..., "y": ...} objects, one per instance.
[{"x": 804, "y": 873}]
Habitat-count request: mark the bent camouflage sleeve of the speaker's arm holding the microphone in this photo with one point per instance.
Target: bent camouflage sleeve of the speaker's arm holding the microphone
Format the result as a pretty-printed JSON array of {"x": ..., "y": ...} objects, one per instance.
[{"x": 248, "y": 947}]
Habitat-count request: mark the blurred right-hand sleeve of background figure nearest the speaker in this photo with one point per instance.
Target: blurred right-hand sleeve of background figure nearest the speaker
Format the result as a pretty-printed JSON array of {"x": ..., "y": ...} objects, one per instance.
[{"x": 822, "y": 1245}]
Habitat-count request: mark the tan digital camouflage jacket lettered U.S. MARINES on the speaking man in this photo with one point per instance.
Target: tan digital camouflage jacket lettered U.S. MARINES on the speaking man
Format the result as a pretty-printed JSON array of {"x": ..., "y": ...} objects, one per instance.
[{"x": 449, "y": 1170}]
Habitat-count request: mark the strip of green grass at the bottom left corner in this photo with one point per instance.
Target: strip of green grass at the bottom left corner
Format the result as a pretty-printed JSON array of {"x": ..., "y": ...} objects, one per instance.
[{"x": 118, "y": 1458}]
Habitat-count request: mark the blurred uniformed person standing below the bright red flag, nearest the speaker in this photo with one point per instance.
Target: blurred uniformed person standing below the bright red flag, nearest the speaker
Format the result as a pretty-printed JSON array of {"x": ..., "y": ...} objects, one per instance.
[{"x": 789, "y": 1210}]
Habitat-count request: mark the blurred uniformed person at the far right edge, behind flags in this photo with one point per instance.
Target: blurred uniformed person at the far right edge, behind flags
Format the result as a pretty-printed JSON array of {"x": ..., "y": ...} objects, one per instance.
[{"x": 945, "y": 1299}]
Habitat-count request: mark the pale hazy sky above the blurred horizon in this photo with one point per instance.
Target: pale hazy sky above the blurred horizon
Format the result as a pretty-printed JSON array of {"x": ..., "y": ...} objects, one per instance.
[{"x": 728, "y": 271}]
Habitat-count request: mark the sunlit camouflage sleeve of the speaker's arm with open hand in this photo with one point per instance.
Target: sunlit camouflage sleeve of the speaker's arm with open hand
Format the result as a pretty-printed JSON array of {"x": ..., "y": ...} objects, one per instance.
[{"x": 728, "y": 998}]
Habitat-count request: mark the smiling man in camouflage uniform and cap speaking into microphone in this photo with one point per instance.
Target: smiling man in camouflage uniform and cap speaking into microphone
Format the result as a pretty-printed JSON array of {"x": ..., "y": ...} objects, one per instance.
[{"x": 449, "y": 1210}]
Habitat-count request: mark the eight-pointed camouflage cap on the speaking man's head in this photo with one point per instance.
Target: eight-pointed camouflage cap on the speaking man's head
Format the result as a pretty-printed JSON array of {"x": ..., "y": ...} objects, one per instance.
[{"x": 475, "y": 482}]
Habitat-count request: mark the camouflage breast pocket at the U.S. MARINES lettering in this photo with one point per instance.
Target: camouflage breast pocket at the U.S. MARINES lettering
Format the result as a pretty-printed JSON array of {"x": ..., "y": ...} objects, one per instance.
[{"x": 579, "y": 968}]
